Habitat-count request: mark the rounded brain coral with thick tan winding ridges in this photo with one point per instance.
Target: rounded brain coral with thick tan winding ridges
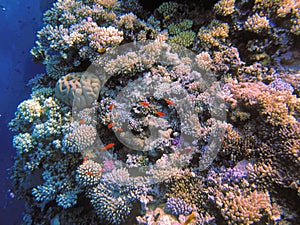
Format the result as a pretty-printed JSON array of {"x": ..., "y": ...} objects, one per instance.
[{"x": 78, "y": 89}]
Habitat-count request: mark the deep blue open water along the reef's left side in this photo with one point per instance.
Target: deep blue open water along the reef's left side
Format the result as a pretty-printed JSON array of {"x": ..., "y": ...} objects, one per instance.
[{"x": 19, "y": 21}]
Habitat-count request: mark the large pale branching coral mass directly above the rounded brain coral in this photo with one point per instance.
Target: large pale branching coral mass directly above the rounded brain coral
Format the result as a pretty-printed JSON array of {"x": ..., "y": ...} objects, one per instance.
[{"x": 76, "y": 31}]
